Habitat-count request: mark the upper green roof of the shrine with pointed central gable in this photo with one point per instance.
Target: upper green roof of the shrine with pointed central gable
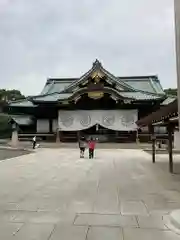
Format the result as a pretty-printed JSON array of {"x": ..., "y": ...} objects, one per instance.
[{"x": 147, "y": 84}]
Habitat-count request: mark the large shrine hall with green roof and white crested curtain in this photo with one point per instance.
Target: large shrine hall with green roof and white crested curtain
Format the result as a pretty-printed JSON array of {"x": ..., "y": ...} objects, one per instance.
[{"x": 97, "y": 104}]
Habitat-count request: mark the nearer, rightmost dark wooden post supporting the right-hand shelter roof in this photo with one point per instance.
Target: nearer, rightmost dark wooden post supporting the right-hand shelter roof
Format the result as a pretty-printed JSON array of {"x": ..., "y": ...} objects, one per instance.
[{"x": 170, "y": 146}]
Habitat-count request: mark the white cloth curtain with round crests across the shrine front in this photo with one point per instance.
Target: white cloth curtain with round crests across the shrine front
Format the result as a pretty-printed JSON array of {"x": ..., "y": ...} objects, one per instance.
[{"x": 118, "y": 120}]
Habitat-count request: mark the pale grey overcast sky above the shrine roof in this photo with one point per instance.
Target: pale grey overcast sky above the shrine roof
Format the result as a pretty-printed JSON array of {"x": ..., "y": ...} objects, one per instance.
[{"x": 43, "y": 38}]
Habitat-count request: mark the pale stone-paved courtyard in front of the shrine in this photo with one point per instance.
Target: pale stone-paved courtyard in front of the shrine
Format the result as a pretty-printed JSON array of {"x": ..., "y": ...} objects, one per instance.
[{"x": 53, "y": 194}]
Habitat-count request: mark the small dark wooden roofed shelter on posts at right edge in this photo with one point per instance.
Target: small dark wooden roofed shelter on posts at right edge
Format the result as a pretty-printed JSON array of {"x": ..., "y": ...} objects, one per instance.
[{"x": 165, "y": 116}]
